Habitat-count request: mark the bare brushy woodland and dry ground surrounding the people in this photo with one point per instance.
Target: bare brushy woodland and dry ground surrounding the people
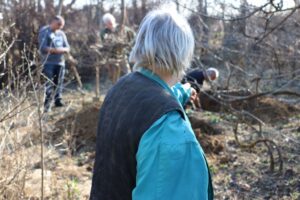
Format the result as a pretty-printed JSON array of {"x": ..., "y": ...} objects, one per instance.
[{"x": 249, "y": 125}]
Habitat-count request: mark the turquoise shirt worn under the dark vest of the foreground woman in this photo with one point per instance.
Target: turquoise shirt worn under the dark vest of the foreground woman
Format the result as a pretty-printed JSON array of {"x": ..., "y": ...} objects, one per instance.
[{"x": 170, "y": 162}]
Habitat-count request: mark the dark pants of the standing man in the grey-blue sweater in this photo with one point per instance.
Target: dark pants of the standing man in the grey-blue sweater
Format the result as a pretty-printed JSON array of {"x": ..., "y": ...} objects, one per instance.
[{"x": 54, "y": 85}]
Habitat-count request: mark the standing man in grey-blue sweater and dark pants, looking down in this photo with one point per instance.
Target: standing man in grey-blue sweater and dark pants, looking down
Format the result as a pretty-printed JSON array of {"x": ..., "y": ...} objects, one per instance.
[{"x": 53, "y": 44}]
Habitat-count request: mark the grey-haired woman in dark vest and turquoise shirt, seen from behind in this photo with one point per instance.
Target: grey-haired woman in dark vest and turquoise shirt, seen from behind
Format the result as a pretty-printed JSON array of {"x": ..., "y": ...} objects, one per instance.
[{"x": 146, "y": 148}]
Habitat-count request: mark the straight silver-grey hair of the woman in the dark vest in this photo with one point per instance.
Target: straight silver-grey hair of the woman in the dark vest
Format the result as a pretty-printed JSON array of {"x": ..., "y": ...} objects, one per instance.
[{"x": 164, "y": 43}]
